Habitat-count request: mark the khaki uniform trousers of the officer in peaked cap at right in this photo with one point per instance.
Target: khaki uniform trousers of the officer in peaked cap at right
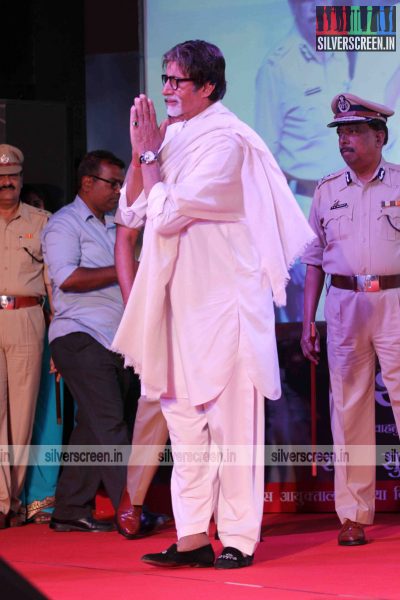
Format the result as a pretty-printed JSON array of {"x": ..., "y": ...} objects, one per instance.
[{"x": 360, "y": 324}]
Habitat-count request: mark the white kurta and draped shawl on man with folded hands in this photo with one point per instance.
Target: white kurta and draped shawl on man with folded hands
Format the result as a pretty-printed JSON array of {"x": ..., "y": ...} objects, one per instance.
[{"x": 222, "y": 229}]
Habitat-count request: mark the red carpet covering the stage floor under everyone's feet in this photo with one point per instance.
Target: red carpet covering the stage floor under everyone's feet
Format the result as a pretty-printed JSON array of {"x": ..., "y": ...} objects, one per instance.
[{"x": 299, "y": 559}]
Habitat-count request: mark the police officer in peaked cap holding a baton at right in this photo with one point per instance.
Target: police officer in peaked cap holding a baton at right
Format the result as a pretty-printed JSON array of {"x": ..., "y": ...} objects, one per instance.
[{"x": 356, "y": 216}]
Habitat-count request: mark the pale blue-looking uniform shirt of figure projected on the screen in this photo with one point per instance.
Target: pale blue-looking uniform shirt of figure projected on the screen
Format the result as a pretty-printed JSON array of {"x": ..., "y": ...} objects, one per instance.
[{"x": 294, "y": 88}]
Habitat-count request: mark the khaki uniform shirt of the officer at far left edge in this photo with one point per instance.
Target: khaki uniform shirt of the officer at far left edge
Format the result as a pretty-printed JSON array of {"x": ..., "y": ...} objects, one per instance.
[{"x": 21, "y": 259}]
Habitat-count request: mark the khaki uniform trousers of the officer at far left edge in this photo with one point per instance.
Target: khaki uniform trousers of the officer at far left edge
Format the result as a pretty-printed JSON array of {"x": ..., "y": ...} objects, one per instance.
[{"x": 21, "y": 346}]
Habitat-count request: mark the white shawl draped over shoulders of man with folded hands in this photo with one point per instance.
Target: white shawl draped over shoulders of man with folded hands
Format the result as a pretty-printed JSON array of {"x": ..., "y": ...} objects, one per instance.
[{"x": 279, "y": 230}]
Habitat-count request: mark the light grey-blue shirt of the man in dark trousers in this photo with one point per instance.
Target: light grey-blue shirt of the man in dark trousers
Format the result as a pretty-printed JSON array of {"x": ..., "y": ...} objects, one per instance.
[{"x": 74, "y": 238}]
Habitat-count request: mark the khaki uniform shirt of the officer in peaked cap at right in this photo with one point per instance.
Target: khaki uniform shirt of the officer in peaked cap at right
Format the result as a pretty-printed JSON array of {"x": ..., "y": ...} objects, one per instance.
[{"x": 357, "y": 225}]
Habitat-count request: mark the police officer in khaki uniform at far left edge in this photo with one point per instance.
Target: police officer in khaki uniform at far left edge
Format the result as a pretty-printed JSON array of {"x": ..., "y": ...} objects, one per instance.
[{"x": 22, "y": 326}]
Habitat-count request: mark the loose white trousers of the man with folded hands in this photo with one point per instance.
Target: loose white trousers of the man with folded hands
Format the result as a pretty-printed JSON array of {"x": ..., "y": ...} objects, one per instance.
[{"x": 233, "y": 488}]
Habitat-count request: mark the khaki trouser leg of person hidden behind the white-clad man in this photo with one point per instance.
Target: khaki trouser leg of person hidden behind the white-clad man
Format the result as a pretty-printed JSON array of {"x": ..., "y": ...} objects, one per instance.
[{"x": 150, "y": 434}]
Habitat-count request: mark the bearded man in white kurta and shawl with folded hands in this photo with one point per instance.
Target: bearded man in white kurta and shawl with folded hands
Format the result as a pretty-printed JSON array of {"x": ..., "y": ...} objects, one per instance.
[{"x": 221, "y": 230}]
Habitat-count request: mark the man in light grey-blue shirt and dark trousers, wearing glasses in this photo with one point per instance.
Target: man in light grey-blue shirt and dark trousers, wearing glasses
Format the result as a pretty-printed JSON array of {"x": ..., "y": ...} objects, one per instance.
[{"x": 78, "y": 246}]
